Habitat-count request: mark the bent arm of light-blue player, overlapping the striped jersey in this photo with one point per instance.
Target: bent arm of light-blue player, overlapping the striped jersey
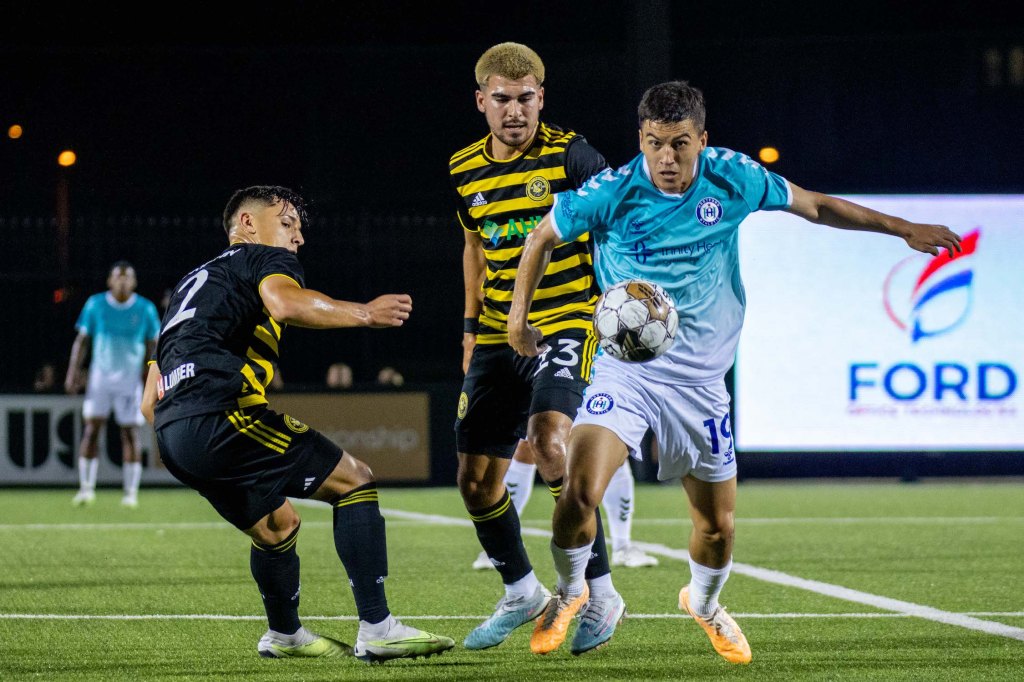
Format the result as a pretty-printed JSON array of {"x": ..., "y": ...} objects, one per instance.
[{"x": 536, "y": 257}]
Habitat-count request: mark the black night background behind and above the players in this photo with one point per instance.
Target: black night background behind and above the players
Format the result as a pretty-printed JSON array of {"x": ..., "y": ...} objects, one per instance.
[{"x": 170, "y": 108}]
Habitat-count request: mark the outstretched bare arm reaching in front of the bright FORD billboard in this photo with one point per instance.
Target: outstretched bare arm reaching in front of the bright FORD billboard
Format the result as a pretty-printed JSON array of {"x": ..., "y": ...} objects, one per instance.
[{"x": 836, "y": 212}]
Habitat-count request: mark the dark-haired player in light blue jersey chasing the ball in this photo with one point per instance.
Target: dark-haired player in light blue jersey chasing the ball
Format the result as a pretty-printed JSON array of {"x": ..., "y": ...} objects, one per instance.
[{"x": 671, "y": 217}]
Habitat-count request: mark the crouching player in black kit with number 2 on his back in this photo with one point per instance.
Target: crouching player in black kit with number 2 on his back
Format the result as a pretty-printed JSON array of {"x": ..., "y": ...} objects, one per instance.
[{"x": 206, "y": 397}]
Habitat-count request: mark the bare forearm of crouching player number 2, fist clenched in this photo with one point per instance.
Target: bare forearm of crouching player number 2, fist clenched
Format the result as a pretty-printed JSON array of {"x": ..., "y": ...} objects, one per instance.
[{"x": 290, "y": 304}]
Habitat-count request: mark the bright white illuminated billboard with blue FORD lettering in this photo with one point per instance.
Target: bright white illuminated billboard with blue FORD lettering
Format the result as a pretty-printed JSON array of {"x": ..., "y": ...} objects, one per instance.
[{"x": 855, "y": 342}]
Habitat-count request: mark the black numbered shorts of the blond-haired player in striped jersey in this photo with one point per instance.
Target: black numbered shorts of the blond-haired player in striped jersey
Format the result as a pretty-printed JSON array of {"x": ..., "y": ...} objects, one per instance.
[{"x": 503, "y": 390}]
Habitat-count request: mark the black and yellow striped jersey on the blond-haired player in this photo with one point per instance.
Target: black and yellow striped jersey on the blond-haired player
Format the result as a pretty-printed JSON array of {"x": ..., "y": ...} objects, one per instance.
[{"x": 504, "y": 201}]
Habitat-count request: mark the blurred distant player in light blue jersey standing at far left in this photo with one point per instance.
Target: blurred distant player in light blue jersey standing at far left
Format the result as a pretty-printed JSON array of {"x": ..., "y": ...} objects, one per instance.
[{"x": 118, "y": 331}]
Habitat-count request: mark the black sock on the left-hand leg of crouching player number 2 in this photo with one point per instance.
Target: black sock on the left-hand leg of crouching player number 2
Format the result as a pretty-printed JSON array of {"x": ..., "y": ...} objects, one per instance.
[{"x": 276, "y": 569}]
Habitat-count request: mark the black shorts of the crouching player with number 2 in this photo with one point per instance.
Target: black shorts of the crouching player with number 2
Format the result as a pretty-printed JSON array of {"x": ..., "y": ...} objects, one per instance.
[{"x": 247, "y": 462}]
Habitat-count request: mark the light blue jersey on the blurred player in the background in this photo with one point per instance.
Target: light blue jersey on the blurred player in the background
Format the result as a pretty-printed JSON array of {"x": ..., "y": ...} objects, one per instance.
[{"x": 119, "y": 333}]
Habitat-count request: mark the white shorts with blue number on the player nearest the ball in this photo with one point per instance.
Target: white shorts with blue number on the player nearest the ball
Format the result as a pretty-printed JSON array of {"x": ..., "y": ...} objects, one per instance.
[{"x": 691, "y": 423}]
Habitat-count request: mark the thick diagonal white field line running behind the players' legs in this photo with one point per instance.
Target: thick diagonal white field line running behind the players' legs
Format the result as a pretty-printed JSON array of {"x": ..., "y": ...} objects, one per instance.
[{"x": 779, "y": 578}]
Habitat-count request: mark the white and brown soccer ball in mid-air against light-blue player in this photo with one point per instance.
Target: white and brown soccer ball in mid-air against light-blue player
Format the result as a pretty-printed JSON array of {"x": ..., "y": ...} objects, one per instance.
[{"x": 635, "y": 321}]
